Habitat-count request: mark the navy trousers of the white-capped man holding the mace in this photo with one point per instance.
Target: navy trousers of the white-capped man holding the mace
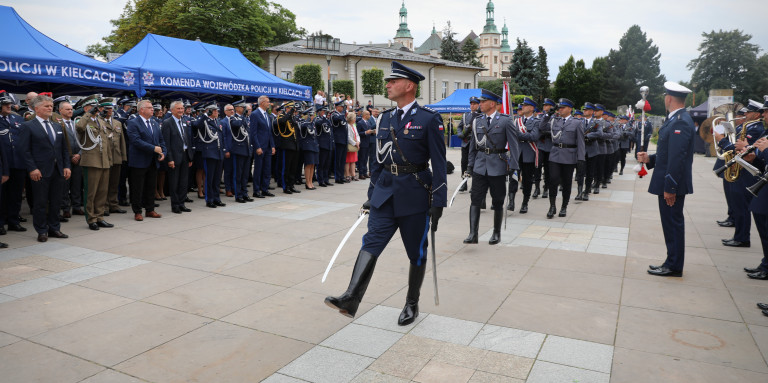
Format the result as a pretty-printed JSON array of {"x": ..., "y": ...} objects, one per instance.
[{"x": 673, "y": 224}]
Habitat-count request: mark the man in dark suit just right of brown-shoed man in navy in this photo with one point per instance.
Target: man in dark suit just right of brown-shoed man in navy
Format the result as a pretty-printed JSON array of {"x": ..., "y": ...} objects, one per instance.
[{"x": 176, "y": 134}]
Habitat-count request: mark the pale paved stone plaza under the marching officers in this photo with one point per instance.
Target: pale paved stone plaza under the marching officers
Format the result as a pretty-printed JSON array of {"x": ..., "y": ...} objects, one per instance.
[{"x": 234, "y": 295}]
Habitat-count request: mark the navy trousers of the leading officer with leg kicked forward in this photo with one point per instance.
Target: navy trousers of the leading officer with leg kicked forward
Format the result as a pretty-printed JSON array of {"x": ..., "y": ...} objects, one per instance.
[{"x": 382, "y": 225}]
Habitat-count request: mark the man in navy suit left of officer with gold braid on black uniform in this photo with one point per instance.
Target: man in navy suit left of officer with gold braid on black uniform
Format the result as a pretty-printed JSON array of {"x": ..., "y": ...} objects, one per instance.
[{"x": 263, "y": 147}]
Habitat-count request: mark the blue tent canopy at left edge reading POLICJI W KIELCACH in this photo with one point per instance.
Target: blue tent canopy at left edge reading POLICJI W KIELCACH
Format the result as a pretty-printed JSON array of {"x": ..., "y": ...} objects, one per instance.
[{"x": 32, "y": 61}]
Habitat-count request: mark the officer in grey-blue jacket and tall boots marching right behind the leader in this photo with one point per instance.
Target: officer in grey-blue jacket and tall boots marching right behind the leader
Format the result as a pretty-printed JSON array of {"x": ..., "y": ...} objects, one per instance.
[{"x": 493, "y": 135}]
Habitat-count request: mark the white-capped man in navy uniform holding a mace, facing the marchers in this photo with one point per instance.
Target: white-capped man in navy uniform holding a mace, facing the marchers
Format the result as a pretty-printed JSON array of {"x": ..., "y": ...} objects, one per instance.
[{"x": 671, "y": 179}]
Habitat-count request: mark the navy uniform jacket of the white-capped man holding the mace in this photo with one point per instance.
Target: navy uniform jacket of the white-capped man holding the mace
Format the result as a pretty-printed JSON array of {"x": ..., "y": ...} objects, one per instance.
[{"x": 674, "y": 156}]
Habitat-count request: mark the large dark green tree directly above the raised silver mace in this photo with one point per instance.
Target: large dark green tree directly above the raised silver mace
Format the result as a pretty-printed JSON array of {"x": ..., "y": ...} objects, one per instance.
[{"x": 634, "y": 64}]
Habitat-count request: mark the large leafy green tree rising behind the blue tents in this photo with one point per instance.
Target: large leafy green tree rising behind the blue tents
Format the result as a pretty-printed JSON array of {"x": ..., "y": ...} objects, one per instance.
[{"x": 248, "y": 25}]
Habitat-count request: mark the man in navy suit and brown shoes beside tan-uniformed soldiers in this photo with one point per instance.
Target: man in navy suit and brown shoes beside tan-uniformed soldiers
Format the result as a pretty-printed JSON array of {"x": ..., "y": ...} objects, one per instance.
[{"x": 146, "y": 149}]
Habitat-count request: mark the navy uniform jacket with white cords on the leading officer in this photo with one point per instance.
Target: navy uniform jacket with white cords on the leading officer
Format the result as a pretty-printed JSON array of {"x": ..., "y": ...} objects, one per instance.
[{"x": 420, "y": 137}]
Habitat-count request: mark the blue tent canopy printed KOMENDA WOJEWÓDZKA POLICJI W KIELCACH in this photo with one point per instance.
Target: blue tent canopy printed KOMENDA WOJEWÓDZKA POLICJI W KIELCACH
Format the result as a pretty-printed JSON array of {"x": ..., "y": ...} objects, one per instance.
[{"x": 172, "y": 66}]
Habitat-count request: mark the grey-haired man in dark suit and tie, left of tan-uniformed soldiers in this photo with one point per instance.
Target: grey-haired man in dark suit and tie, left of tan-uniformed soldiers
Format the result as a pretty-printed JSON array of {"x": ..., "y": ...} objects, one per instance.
[{"x": 47, "y": 161}]
